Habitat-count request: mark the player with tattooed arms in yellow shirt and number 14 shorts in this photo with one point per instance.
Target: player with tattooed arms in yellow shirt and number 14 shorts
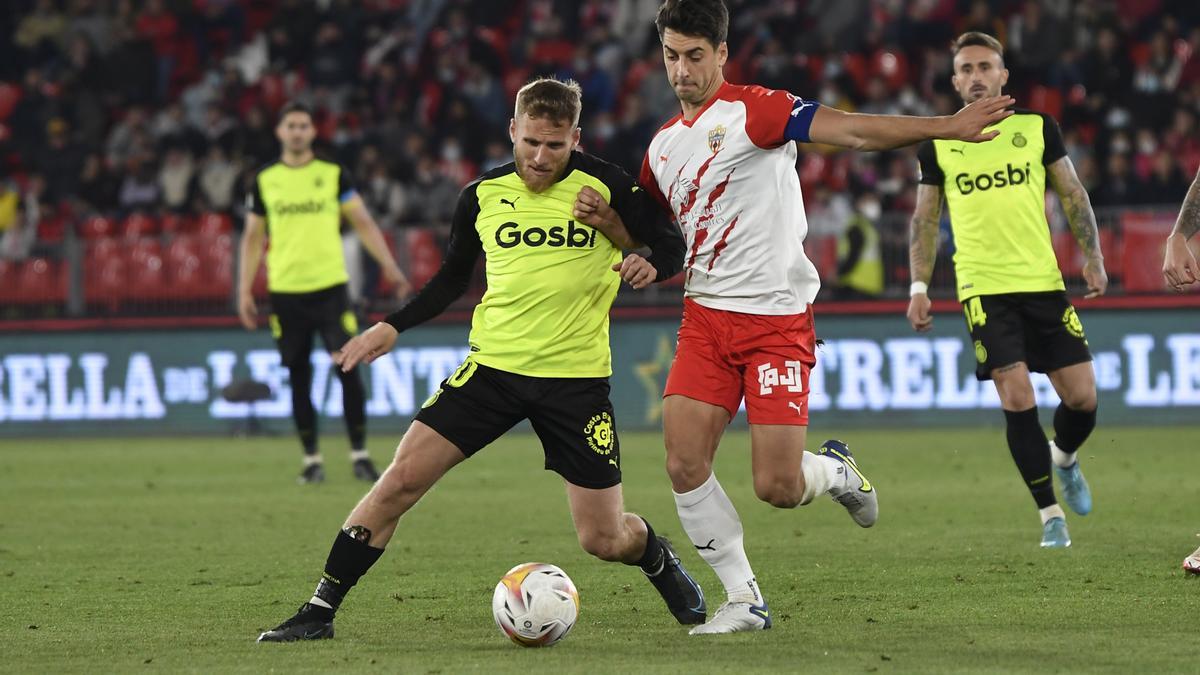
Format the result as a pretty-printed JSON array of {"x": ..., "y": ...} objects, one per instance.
[{"x": 1009, "y": 278}]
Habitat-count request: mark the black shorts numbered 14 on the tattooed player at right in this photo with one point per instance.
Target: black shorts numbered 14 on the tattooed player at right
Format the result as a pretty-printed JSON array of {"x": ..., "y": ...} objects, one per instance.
[{"x": 1041, "y": 330}]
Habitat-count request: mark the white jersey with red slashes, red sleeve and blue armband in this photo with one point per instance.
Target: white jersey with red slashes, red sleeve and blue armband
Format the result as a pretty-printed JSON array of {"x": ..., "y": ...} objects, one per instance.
[{"x": 729, "y": 177}]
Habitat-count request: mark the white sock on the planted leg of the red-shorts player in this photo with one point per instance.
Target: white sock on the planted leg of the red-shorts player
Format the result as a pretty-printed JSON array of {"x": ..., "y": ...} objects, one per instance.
[{"x": 713, "y": 525}]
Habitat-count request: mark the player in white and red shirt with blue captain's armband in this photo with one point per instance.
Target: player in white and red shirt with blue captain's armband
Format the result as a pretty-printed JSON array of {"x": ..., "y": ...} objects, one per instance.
[{"x": 727, "y": 169}]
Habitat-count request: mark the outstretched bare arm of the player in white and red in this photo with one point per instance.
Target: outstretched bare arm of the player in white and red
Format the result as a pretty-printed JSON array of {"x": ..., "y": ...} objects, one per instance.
[{"x": 868, "y": 133}]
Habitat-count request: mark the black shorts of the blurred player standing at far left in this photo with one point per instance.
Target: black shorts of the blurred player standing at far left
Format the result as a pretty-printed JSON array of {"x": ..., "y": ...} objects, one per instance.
[{"x": 297, "y": 316}]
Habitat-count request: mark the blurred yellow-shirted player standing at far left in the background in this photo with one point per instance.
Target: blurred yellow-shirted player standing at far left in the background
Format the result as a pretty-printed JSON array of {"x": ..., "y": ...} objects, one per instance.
[{"x": 299, "y": 202}]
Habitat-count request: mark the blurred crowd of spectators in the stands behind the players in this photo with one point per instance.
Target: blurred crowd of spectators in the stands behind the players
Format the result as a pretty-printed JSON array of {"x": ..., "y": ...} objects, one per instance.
[{"x": 169, "y": 106}]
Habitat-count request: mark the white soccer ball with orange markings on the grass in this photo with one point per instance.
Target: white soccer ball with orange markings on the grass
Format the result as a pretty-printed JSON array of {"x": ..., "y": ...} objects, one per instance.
[{"x": 536, "y": 605}]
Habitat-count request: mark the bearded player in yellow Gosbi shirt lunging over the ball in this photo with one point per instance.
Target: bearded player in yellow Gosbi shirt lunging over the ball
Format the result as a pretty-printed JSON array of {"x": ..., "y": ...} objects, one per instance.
[{"x": 539, "y": 351}]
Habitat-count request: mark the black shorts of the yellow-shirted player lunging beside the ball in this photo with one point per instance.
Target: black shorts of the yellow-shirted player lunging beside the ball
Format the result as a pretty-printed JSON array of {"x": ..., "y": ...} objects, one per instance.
[{"x": 572, "y": 416}]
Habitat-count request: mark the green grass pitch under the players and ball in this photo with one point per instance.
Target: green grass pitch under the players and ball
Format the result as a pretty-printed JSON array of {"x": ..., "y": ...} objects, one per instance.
[{"x": 172, "y": 554}]
